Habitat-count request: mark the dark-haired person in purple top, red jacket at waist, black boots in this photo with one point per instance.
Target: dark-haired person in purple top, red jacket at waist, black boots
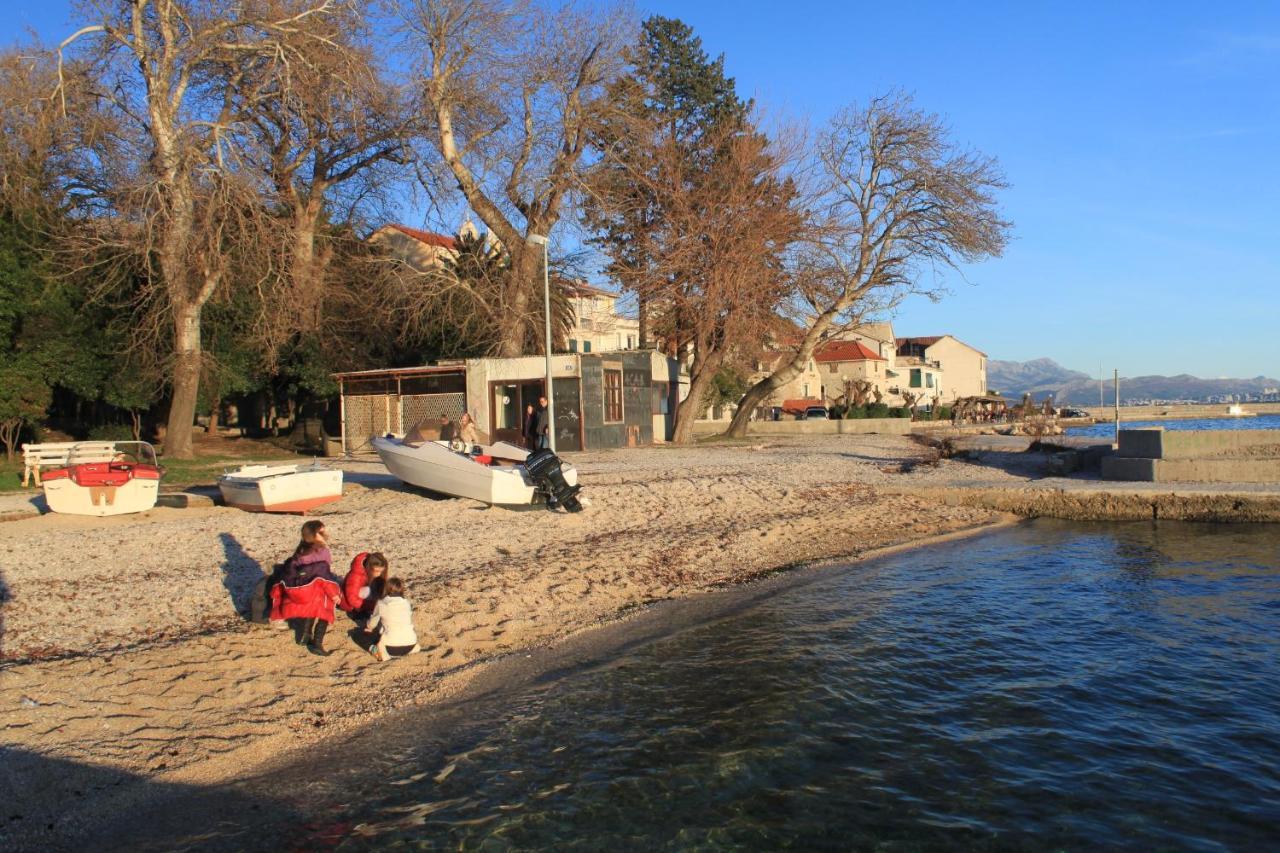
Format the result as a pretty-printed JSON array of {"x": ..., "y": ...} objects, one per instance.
[{"x": 308, "y": 592}]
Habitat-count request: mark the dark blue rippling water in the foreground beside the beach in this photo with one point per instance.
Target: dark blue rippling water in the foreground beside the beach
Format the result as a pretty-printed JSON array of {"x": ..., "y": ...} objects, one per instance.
[{"x": 1049, "y": 686}]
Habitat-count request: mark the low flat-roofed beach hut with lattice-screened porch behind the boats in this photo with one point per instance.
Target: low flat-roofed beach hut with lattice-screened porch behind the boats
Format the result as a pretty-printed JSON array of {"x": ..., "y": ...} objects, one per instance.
[{"x": 602, "y": 400}]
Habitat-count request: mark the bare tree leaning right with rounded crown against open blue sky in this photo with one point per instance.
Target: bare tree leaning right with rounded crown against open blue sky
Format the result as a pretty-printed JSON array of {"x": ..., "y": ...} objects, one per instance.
[{"x": 895, "y": 200}]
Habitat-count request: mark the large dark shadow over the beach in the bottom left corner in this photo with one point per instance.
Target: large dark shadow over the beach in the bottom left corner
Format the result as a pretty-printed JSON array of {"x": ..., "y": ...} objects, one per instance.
[{"x": 58, "y": 805}]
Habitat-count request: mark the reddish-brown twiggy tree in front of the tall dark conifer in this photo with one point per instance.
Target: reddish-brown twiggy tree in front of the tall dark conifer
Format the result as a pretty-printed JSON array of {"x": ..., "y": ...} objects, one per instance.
[{"x": 712, "y": 271}]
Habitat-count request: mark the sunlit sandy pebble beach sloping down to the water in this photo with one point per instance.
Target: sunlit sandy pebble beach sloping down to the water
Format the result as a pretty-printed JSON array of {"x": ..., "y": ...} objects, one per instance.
[{"x": 126, "y": 660}]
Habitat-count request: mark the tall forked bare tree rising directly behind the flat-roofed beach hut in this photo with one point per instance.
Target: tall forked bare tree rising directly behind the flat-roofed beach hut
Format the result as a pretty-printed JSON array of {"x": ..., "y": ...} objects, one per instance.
[{"x": 511, "y": 88}]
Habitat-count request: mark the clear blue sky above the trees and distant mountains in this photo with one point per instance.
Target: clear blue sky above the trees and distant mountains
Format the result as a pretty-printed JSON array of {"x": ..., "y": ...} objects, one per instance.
[{"x": 1142, "y": 142}]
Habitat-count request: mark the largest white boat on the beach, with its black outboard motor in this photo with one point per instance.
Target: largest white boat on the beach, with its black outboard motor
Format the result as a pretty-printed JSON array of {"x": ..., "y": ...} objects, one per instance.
[{"x": 496, "y": 475}]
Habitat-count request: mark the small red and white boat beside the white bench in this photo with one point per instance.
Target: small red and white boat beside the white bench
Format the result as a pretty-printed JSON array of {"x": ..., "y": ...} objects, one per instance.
[{"x": 98, "y": 480}]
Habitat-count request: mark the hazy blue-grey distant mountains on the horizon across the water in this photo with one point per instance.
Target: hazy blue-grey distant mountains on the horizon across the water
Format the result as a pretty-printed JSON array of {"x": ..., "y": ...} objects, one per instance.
[{"x": 1045, "y": 377}]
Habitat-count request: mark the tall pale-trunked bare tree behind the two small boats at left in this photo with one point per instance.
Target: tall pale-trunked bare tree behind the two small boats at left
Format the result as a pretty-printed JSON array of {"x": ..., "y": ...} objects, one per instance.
[{"x": 184, "y": 202}]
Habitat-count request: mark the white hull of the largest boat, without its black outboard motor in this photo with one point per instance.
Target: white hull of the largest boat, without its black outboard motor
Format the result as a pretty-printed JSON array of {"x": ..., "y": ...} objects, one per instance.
[{"x": 491, "y": 473}]
